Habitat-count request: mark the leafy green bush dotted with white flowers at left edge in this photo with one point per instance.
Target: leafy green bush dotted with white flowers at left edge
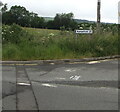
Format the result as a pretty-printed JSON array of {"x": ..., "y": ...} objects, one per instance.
[{"x": 14, "y": 34}]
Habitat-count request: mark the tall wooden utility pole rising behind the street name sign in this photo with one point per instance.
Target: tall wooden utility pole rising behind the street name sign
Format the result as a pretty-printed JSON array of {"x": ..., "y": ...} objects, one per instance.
[{"x": 98, "y": 15}]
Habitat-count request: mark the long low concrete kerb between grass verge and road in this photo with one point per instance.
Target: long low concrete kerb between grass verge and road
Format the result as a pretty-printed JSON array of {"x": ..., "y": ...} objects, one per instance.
[{"x": 61, "y": 61}]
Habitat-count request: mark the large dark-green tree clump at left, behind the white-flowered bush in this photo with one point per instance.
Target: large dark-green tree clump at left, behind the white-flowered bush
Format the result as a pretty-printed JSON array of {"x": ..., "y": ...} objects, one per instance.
[{"x": 23, "y": 17}]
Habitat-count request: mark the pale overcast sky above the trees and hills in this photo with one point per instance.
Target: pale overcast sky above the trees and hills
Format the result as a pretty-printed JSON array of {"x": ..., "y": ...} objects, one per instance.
[{"x": 82, "y": 9}]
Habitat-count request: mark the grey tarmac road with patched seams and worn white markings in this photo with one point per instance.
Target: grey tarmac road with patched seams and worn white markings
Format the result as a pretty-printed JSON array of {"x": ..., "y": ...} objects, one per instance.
[{"x": 75, "y": 86}]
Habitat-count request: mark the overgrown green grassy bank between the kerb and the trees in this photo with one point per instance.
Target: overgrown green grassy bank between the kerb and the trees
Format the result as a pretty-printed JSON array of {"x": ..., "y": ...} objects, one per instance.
[{"x": 43, "y": 44}]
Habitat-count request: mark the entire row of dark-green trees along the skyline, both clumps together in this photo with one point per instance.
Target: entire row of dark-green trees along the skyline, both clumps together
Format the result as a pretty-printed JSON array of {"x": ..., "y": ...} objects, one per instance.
[{"x": 21, "y": 16}]
